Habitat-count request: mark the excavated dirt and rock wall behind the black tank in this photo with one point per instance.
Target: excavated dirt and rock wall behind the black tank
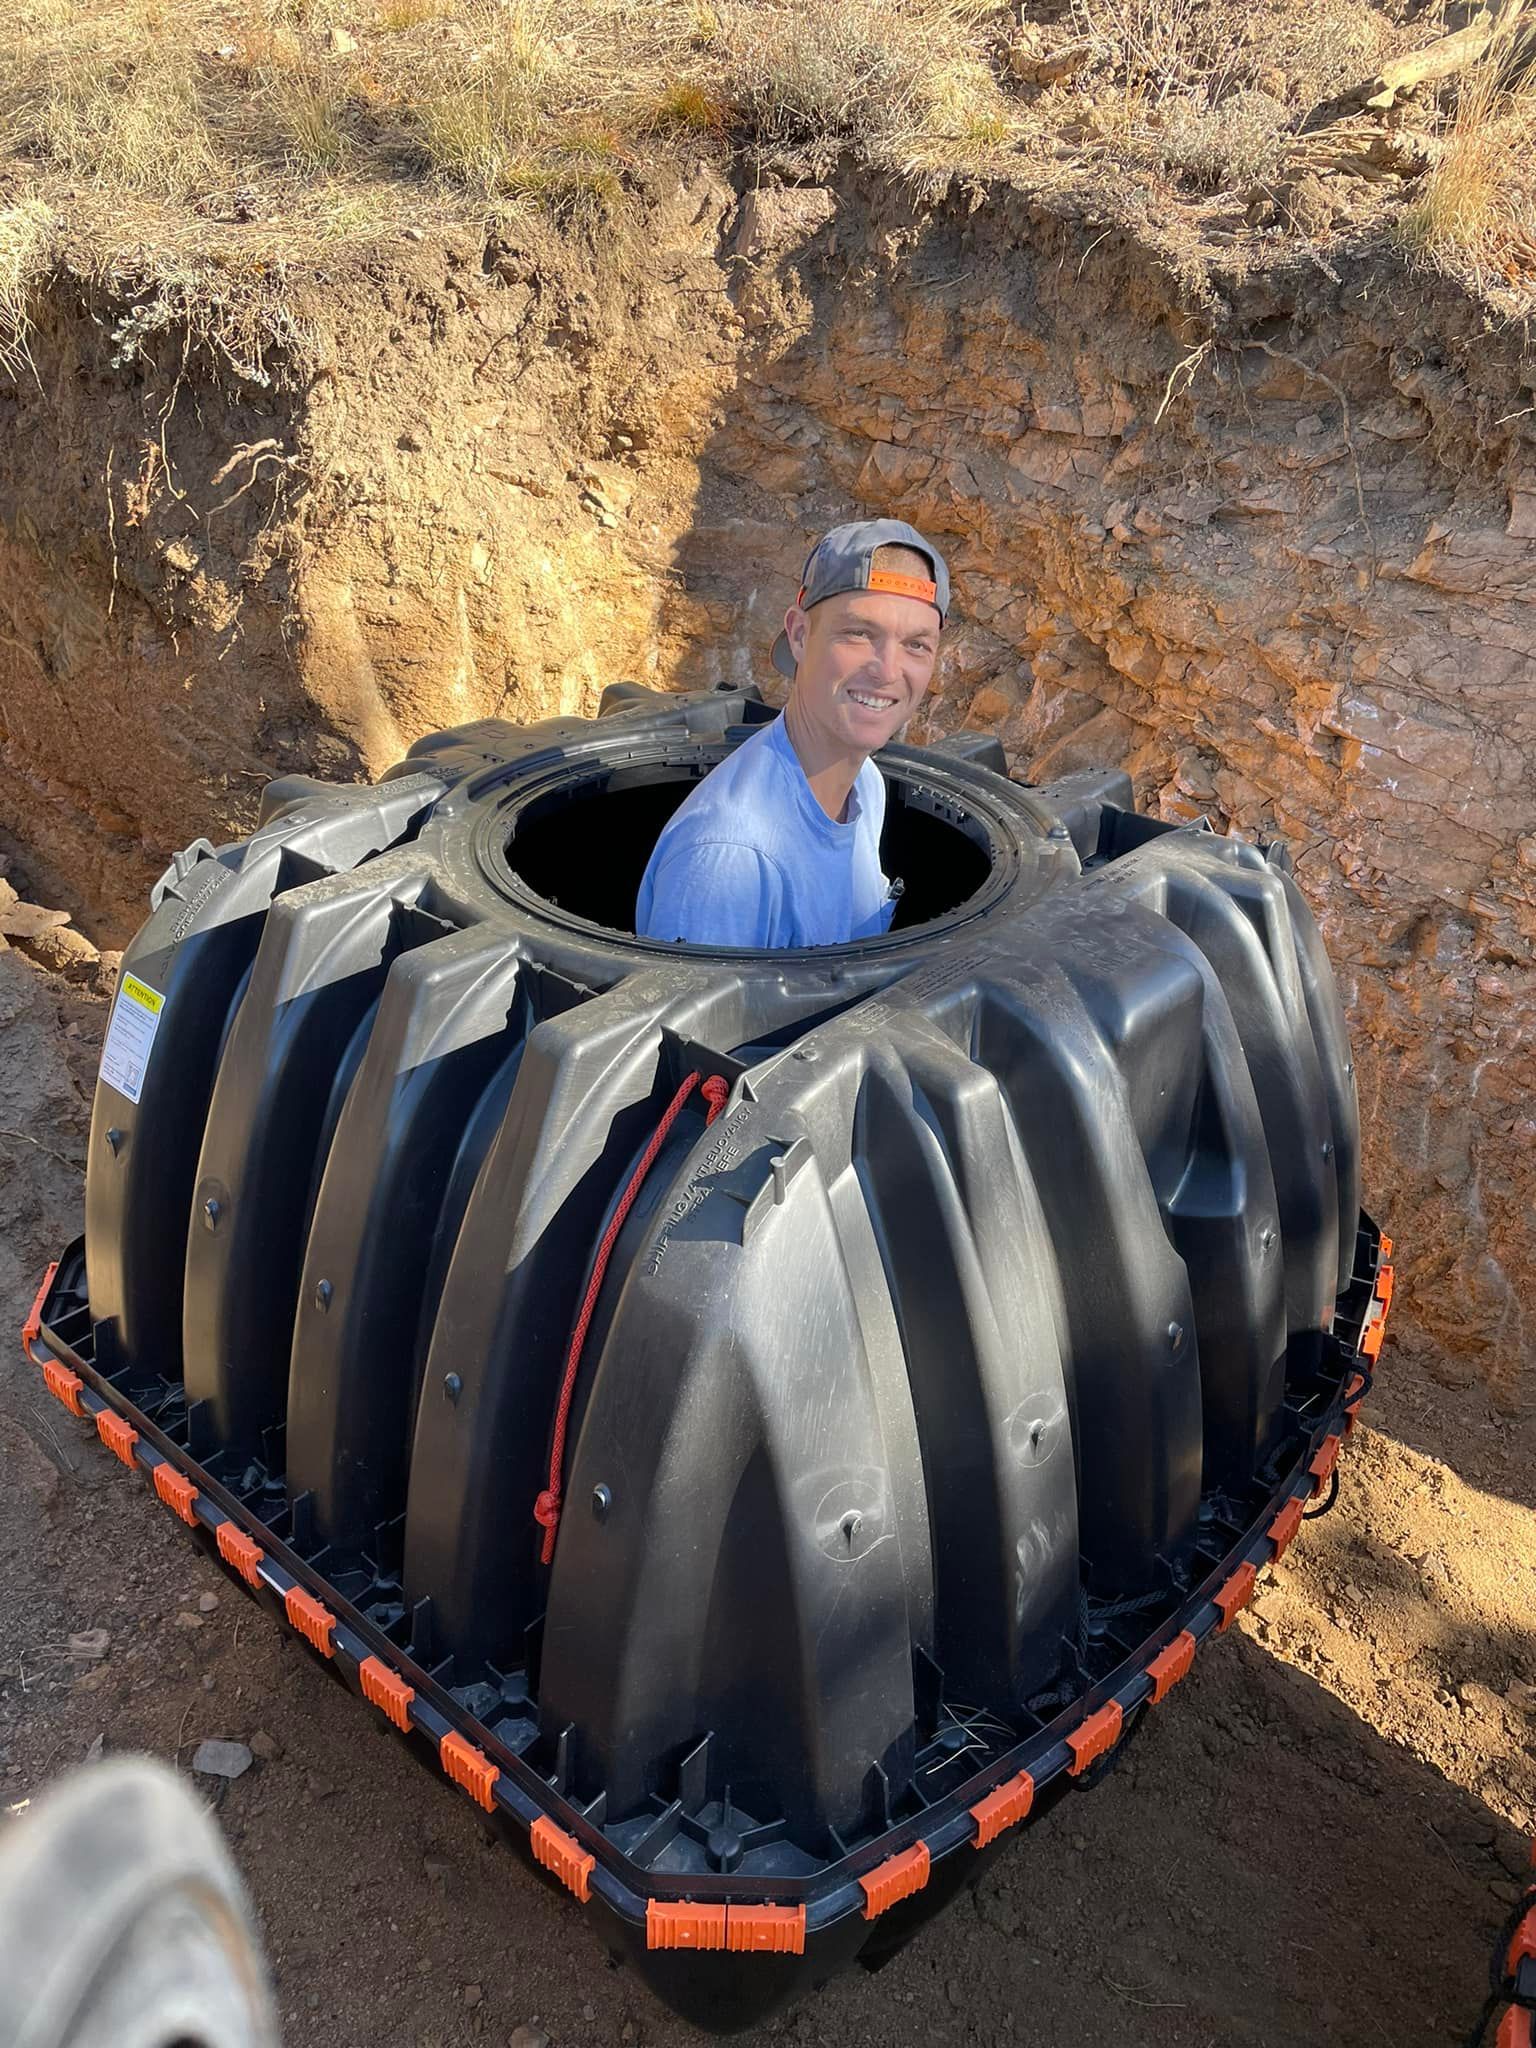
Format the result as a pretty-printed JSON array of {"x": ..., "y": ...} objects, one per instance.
[{"x": 1265, "y": 540}]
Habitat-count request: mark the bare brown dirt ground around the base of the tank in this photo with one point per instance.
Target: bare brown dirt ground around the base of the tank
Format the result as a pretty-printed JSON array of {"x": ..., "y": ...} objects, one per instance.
[{"x": 1312, "y": 1844}]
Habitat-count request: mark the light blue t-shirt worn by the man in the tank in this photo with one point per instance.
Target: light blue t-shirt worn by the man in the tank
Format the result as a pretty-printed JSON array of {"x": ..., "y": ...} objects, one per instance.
[{"x": 753, "y": 859}]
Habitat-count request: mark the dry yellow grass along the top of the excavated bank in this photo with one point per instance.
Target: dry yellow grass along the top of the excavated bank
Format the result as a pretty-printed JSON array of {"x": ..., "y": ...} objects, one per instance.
[{"x": 275, "y": 128}]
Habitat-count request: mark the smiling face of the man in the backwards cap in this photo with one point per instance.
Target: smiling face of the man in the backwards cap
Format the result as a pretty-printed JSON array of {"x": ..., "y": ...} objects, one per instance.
[{"x": 863, "y": 660}]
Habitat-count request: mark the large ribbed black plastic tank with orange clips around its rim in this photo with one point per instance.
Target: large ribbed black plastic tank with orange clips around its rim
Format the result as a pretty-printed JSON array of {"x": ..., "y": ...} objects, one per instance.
[{"x": 740, "y": 1414}]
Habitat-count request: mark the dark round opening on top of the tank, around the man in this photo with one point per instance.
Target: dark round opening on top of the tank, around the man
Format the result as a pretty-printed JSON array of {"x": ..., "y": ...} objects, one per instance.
[{"x": 585, "y": 845}]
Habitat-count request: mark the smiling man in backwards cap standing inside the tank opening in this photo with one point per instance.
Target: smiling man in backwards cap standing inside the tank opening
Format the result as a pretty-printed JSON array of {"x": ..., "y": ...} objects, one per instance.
[{"x": 781, "y": 845}]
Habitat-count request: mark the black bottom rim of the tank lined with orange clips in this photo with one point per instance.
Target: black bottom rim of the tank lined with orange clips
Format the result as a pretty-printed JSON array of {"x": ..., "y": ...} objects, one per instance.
[{"x": 728, "y": 1951}]
